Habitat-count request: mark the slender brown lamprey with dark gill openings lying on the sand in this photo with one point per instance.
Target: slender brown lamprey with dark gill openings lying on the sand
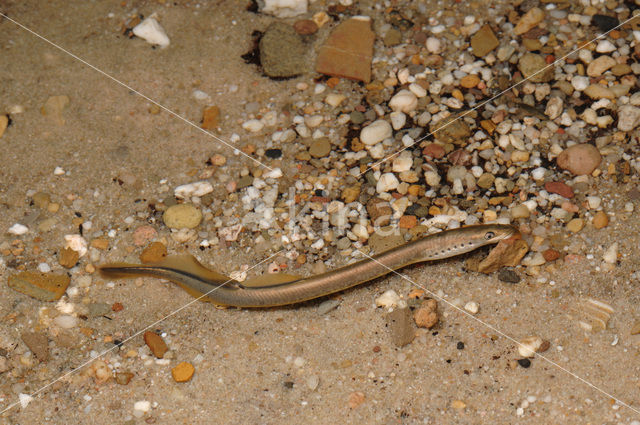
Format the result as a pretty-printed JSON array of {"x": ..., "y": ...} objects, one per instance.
[{"x": 282, "y": 289}]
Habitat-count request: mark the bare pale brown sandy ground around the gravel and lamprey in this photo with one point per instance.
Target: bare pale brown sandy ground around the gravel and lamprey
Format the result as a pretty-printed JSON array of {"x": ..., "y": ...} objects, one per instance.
[{"x": 246, "y": 367}]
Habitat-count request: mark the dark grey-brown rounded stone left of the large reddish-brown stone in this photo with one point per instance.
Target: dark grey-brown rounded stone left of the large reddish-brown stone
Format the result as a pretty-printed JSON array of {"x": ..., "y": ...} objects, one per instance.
[{"x": 282, "y": 51}]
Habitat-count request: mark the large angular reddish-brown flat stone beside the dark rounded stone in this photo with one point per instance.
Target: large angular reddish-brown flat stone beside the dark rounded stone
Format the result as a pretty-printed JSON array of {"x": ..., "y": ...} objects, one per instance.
[{"x": 348, "y": 50}]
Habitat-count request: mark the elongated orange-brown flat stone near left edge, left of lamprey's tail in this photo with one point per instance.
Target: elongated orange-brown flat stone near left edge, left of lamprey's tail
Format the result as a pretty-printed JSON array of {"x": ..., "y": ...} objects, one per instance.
[{"x": 41, "y": 286}]
